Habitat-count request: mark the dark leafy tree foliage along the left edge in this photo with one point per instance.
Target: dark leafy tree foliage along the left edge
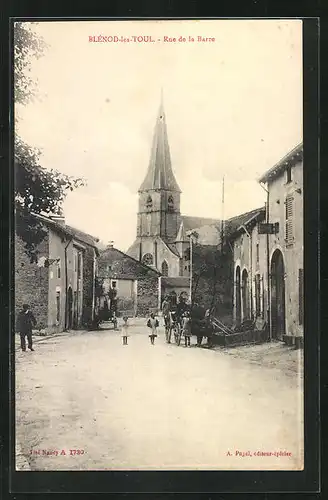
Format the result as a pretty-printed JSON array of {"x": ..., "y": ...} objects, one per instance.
[{"x": 37, "y": 190}]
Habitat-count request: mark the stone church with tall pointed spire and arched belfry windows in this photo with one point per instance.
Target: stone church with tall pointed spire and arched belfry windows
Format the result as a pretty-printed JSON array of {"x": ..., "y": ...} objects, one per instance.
[{"x": 162, "y": 240}]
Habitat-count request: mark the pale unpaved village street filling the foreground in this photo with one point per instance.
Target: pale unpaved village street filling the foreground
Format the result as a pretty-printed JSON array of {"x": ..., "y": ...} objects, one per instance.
[{"x": 152, "y": 407}]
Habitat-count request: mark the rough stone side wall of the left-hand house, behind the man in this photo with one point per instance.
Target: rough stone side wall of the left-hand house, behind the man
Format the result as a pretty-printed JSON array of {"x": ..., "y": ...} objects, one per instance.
[{"x": 31, "y": 282}]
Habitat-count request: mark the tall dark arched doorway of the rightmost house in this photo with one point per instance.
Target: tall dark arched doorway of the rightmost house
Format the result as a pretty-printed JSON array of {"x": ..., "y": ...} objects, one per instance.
[{"x": 278, "y": 314}]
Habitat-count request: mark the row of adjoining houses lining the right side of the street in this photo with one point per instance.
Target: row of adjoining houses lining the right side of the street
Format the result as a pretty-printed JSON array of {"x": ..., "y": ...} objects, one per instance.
[{"x": 268, "y": 253}]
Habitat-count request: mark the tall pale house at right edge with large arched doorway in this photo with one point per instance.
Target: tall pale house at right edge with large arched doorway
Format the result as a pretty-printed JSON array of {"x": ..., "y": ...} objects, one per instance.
[{"x": 284, "y": 182}]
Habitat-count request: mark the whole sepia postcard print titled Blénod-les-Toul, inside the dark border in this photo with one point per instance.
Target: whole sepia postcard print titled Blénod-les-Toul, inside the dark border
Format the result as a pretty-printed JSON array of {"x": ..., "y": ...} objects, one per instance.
[{"x": 159, "y": 245}]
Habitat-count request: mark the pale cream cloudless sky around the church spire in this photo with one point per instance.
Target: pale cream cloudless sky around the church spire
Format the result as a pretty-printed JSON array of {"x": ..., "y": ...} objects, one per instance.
[{"x": 233, "y": 108}]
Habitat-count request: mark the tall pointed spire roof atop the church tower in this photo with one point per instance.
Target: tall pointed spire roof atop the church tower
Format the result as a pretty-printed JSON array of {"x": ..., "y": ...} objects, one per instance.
[{"x": 160, "y": 174}]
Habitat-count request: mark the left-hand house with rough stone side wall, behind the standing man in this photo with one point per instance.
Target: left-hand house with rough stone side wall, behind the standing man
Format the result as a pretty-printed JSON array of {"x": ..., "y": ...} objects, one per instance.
[{"x": 60, "y": 286}]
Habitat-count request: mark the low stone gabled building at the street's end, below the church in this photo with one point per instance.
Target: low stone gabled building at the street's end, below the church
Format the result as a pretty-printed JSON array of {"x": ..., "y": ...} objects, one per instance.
[{"x": 137, "y": 284}]
